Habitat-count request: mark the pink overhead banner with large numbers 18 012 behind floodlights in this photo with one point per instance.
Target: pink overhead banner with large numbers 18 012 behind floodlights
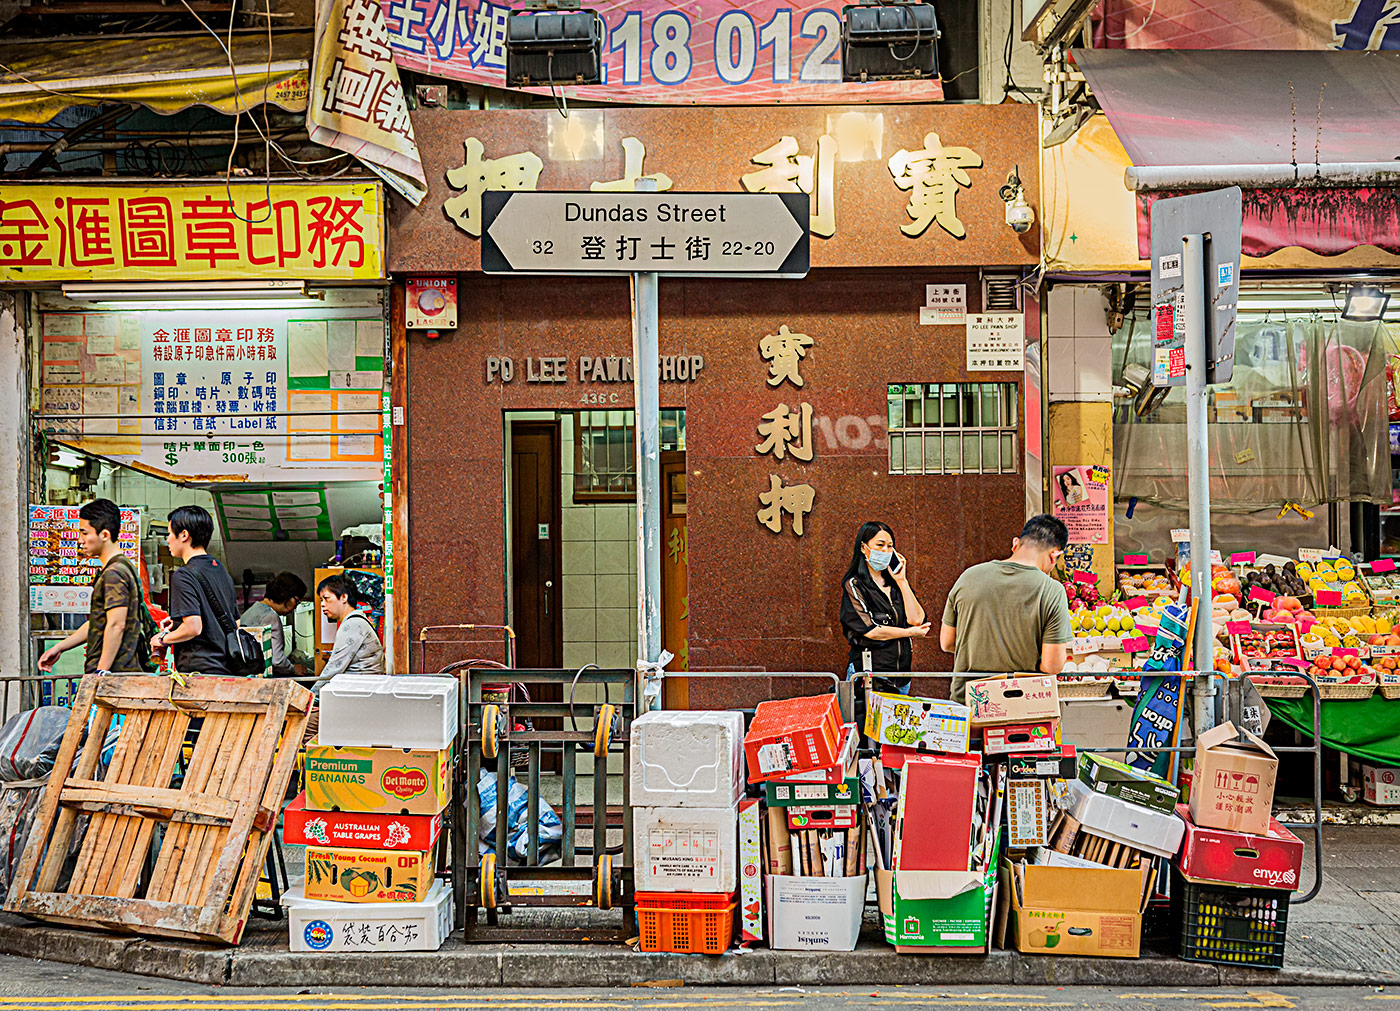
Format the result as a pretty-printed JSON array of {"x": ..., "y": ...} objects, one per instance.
[{"x": 709, "y": 53}]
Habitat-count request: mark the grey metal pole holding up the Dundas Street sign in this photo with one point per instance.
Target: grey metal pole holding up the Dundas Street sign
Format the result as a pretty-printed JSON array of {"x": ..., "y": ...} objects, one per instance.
[{"x": 646, "y": 361}]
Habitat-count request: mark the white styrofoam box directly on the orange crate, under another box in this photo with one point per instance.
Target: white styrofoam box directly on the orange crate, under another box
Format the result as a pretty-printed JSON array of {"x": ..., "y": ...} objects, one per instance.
[{"x": 685, "y": 849}]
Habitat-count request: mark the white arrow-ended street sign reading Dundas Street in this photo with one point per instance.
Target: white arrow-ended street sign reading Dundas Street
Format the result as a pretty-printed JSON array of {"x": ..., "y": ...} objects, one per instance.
[{"x": 622, "y": 233}]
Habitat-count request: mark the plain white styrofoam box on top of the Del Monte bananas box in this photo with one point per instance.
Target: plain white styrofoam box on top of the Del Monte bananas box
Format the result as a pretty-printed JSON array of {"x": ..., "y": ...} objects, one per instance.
[{"x": 386, "y": 711}]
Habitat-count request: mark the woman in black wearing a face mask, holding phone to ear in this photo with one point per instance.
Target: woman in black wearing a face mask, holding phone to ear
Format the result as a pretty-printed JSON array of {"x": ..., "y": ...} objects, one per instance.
[{"x": 880, "y": 611}]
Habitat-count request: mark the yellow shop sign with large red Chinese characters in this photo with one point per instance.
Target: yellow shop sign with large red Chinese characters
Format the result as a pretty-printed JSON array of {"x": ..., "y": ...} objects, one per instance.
[{"x": 205, "y": 232}]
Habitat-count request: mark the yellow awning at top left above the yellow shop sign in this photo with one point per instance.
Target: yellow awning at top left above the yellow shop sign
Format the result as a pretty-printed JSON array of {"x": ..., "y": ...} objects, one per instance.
[{"x": 167, "y": 75}]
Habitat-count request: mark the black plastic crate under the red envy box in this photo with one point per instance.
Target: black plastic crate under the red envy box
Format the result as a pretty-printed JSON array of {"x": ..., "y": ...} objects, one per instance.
[{"x": 1228, "y": 925}]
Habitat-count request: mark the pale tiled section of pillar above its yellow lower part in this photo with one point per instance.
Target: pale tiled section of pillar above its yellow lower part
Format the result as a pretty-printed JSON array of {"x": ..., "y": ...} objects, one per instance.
[{"x": 1079, "y": 345}]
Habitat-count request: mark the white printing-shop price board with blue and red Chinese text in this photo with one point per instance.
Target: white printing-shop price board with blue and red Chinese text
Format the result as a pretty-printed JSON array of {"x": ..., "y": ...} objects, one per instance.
[{"x": 213, "y": 393}]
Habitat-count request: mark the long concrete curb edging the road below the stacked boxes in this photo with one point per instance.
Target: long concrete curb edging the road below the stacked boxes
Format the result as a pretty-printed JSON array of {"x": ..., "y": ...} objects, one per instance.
[{"x": 551, "y": 967}]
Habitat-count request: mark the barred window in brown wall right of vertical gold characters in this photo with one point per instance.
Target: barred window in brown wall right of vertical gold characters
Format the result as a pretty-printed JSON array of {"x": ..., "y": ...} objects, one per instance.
[{"x": 954, "y": 428}]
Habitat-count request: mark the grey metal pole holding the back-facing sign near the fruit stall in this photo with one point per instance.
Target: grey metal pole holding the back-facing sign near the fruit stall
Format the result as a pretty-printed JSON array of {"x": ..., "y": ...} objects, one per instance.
[{"x": 1198, "y": 474}]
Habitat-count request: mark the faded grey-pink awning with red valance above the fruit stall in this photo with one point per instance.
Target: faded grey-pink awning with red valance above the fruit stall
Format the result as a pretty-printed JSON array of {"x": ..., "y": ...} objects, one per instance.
[{"x": 1265, "y": 114}]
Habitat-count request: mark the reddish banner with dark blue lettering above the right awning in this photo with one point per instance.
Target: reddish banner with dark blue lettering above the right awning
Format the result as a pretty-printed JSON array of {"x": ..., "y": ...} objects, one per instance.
[{"x": 1248, "y": 25}]
